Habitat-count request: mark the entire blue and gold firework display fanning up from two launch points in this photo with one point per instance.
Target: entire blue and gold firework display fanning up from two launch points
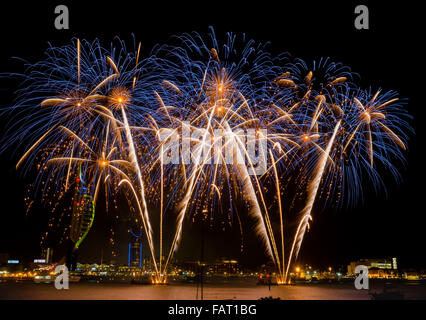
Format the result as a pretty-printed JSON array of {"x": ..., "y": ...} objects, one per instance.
[{"x": 200, "y": 129}]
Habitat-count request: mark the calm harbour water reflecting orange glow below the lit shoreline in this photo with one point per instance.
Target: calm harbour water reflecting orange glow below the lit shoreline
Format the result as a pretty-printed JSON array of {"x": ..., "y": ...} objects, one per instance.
[{"x": 235, "y": 289}]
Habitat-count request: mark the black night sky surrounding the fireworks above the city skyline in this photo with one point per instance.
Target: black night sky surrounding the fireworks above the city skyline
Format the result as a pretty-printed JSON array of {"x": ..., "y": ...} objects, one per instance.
[{"x": 387, "y": 56}]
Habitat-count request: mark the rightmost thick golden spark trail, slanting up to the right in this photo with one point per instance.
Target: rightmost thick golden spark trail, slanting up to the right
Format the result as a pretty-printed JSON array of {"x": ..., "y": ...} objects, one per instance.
[{"x": 312, "y": 193}]
